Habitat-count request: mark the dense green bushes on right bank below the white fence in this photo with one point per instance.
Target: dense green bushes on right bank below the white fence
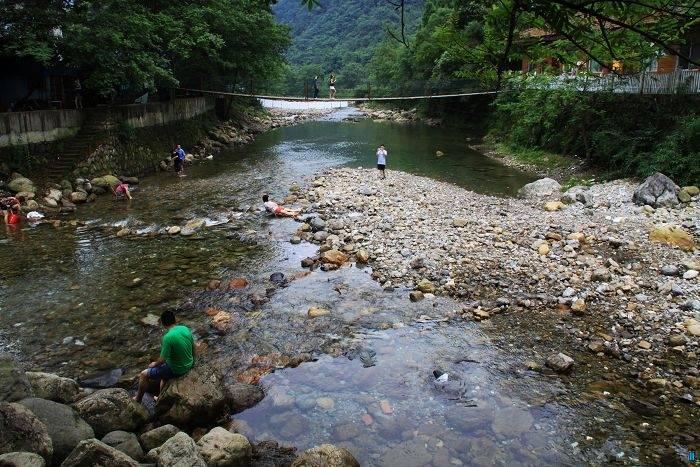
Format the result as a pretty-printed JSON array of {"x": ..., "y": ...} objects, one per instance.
[{"x": 629, "y": 134}]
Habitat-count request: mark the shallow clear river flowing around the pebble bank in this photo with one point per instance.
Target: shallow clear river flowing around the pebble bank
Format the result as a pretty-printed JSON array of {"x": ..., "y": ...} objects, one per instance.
[{"x": 74, "y": 297}]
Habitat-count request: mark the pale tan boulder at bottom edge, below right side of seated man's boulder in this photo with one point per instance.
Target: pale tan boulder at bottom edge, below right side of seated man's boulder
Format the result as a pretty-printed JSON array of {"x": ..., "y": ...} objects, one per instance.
[{"x": 220, "y": 447}]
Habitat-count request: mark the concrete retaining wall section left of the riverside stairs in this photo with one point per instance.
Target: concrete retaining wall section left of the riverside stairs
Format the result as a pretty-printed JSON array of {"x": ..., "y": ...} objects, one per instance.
[{"x": 38, "y": 126}]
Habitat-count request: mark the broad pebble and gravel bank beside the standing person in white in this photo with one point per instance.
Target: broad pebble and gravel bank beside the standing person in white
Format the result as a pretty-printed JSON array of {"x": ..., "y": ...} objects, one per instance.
[{"x": 592, "y": 267}]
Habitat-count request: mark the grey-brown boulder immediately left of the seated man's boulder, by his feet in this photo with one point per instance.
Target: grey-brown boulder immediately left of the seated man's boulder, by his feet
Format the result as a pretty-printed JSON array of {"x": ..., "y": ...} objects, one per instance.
[{"x": 110, "y": 410}]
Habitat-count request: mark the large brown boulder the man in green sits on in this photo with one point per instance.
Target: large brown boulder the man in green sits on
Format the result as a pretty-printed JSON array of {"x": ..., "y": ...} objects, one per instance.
[{"x": 198, "y": 398}]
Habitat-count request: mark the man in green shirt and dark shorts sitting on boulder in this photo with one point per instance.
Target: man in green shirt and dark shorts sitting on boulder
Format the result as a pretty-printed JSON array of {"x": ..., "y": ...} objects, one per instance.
[{"x": 177, "y": 354}]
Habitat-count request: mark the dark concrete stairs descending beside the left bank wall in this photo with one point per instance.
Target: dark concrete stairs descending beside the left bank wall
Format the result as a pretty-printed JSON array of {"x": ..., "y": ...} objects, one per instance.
[{"x": 94, "y": 131}]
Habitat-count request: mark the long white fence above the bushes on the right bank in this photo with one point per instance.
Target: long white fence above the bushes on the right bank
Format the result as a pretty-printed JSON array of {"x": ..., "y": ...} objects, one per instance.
[{"x": 677, "y": 82}]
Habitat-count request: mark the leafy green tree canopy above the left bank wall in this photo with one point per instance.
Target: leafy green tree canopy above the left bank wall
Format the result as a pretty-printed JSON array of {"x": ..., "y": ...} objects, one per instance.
[{"x": 132, "y": 46}]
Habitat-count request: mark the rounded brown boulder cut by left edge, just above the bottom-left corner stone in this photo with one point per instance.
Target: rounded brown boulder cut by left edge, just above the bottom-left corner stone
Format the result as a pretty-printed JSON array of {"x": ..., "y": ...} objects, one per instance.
[{"x": 21, "y": 430}]
